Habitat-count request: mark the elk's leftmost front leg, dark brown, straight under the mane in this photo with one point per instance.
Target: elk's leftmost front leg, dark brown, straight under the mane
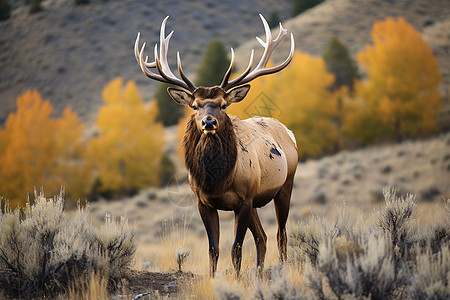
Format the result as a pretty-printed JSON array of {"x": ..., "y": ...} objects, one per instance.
[{"x": 210, "y": 219}]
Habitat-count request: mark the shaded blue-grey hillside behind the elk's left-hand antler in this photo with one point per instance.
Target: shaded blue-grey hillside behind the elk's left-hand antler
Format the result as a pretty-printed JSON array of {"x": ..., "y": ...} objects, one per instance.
[{"x": 69, "y": 53}]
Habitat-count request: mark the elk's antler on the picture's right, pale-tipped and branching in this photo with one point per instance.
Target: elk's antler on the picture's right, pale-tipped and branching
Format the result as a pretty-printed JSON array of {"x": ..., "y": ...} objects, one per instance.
[{"x": 269, "y": 45}]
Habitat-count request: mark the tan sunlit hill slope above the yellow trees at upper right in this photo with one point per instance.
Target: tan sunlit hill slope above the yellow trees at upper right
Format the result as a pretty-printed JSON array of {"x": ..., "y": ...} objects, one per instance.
[{"x": 351, "y": 21}]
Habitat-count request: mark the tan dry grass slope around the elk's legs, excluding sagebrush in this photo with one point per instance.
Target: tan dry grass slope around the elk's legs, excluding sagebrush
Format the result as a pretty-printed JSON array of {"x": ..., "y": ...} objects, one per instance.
[{"x": 340, "y": 191}]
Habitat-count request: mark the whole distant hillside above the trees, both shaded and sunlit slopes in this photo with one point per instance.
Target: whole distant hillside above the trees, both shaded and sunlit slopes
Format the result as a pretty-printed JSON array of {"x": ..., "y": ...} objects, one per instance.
[{"x": 70, "y": 52}]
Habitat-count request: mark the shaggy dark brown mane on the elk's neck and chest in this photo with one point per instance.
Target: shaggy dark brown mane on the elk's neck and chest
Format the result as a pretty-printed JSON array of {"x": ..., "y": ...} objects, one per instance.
[{"x": 210, "y": 158}]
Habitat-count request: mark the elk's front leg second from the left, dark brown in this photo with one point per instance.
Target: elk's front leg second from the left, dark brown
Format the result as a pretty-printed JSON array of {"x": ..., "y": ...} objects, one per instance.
[{"x": 242, "y": 221}]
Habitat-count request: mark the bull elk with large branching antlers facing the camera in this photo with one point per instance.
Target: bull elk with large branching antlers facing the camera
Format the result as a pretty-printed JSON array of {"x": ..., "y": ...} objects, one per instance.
[{"x": 234, "y": 165}]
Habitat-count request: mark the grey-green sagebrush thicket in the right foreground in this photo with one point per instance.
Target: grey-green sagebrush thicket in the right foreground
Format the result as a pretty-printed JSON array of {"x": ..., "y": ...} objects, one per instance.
[{"x": 389, "y": 258}]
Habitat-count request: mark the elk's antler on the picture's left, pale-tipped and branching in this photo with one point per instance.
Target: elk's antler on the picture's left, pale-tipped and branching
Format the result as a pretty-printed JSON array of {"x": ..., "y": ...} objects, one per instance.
[{"x": 161, "y": 64}]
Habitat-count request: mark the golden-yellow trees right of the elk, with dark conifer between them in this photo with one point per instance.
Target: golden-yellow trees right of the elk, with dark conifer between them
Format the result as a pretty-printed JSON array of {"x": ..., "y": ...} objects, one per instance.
[{"x": 329, "y": 106}]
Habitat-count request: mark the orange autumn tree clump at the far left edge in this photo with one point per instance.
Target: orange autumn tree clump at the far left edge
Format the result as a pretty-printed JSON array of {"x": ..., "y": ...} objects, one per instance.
[{"x": 38, "y": 150}]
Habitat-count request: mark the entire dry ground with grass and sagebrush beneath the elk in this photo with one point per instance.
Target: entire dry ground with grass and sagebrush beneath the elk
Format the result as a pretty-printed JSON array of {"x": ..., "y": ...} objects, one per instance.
[{"x": 367, "y": 224}]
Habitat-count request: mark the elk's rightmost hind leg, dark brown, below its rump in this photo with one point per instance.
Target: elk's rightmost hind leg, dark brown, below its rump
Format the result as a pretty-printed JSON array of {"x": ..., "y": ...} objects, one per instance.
[{"x": 282, "y": 202}]
